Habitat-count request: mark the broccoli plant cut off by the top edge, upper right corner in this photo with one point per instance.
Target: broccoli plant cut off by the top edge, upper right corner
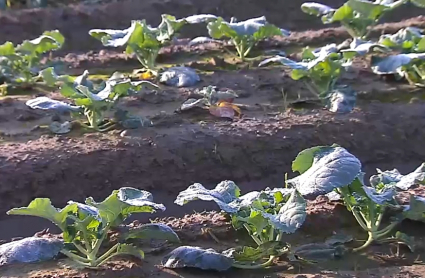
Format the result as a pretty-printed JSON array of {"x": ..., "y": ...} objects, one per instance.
[{"x": 357, "y": 16}]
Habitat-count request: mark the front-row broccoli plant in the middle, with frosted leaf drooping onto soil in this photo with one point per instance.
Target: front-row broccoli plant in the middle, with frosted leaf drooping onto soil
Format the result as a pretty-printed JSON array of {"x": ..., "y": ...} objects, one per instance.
[{"x": 265, "y": 215}]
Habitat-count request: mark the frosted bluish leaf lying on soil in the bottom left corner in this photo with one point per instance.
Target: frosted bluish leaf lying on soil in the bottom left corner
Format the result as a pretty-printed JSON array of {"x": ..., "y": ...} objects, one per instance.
[{"x": 29, "y": 250}]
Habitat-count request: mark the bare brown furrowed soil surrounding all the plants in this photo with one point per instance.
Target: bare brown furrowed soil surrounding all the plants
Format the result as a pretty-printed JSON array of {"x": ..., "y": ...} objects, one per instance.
[{"x": 280, "y": 118}]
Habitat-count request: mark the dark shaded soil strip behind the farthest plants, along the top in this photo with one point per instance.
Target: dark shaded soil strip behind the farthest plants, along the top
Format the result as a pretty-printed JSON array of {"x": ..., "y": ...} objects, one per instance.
[{"x": 75, "y": 21}]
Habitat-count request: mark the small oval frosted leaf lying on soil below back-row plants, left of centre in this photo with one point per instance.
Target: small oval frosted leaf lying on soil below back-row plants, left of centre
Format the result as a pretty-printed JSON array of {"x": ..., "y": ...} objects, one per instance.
[{"x": 179, "y": 77}]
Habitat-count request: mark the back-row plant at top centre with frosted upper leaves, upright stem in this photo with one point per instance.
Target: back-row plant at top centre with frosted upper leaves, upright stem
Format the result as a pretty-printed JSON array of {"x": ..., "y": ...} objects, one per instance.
[{"x": 245, "y": 34}]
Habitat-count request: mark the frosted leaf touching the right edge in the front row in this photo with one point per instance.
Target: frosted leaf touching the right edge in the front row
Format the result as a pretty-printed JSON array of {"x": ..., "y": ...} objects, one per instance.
[{"x": 402, "y": 182}]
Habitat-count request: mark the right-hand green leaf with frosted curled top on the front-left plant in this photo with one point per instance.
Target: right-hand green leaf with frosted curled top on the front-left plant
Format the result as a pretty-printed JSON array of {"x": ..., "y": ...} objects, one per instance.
[{"x": 124, "y": 202}]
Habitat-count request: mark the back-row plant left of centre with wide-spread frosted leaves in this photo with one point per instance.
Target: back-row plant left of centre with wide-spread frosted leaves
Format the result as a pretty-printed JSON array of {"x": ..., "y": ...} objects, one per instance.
[{"x": 145, "y": 41}]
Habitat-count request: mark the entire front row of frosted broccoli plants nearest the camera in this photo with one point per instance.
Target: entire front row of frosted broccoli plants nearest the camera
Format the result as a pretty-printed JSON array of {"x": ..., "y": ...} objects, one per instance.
[{"x": 265, "y": 215}]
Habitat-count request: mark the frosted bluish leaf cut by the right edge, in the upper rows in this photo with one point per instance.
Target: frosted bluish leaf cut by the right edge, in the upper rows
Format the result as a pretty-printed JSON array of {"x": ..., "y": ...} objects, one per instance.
[{"x": 394, "y": 64}]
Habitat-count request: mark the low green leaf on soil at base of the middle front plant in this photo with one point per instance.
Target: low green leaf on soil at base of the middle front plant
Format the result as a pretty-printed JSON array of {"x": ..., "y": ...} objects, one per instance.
[{"x": 270, "y": 248}]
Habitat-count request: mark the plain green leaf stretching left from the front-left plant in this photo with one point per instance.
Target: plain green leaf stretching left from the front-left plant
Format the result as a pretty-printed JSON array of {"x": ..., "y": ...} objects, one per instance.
[{"x": 42, "y": 207}]
